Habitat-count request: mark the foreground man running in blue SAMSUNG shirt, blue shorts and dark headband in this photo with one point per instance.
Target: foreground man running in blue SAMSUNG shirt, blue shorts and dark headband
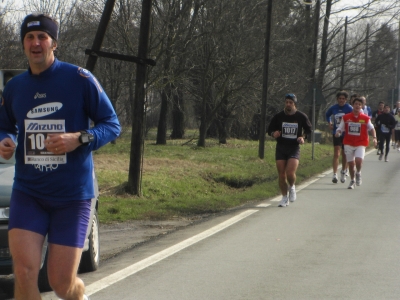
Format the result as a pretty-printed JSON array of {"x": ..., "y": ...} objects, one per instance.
[{"x": 45, "y": 116}]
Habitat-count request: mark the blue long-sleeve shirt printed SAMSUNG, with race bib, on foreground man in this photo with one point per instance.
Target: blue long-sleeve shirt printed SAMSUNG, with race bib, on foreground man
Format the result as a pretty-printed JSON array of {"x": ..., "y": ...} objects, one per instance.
[{"x": 64, "y": 98}]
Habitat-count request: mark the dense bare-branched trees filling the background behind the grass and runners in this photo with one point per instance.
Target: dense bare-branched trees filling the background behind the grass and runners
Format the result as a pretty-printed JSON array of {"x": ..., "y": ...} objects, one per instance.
[{"x": 210, "y": 56}]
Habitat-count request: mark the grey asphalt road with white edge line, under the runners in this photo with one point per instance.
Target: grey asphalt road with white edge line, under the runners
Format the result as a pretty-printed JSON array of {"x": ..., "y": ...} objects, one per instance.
[{"x": 332, "y": 243}]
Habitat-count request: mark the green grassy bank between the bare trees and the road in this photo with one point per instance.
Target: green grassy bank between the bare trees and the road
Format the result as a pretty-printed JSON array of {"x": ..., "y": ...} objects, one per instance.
[{"x": 181, "y": 179}]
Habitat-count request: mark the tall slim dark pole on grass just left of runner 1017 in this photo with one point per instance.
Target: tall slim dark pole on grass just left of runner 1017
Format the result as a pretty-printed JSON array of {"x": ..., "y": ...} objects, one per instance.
[{"x": 265, "y": 83}]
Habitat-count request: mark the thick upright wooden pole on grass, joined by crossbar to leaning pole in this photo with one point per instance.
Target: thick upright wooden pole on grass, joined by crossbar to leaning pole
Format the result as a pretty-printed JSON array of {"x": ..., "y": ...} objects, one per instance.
[{"x": 138, "y": 113}]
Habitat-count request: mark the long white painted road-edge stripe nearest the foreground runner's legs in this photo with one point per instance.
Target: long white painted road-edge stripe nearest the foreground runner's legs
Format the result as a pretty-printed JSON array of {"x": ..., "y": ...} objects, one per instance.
[{"x": 132, "y": 269}]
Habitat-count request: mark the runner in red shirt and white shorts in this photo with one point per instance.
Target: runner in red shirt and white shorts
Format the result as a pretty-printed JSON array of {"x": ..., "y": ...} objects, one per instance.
[{"x": 356, "y": 125}]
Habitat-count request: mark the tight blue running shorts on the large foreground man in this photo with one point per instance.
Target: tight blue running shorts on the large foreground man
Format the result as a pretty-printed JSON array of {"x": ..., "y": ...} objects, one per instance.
[{"x": 65, "y": 222}]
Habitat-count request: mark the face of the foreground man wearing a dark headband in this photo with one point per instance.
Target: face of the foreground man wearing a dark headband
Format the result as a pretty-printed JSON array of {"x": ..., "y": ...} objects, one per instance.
[{"x": 38, "y": 48}]
